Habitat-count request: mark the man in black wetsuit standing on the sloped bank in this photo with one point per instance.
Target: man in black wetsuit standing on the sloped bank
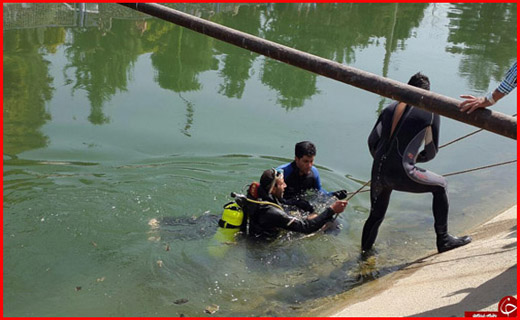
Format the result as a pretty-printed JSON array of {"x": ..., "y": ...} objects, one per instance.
[{"x": 394, "y": 144}]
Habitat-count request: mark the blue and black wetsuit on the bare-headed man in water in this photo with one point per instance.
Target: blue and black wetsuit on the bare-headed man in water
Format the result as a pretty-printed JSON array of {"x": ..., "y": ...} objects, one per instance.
[{"x": 297, "y": 184}]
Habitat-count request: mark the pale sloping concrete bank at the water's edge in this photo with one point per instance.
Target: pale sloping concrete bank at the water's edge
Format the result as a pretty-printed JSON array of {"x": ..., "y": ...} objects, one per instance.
[{"x": 471, "y": 278}]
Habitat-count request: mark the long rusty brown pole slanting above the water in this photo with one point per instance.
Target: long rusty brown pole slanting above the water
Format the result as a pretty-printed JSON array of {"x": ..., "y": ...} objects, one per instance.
[{"x": 486, "y": 119}]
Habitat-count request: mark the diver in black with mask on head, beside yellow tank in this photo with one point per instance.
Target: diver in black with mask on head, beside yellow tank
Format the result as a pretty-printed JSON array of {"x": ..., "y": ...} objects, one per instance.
[{"x": 267, "y": 219}]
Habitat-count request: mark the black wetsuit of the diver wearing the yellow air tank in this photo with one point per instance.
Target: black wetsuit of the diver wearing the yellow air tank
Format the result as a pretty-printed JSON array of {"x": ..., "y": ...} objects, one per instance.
[{"x": 266, "y": 221}]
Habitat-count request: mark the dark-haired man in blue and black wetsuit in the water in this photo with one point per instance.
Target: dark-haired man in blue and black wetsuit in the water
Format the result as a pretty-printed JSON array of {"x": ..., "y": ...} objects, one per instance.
[{"x": 301, "y": 175}]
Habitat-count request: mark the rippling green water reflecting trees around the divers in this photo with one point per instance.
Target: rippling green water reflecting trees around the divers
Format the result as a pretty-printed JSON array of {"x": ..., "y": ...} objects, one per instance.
[{"x": 124, "y": 135}]
